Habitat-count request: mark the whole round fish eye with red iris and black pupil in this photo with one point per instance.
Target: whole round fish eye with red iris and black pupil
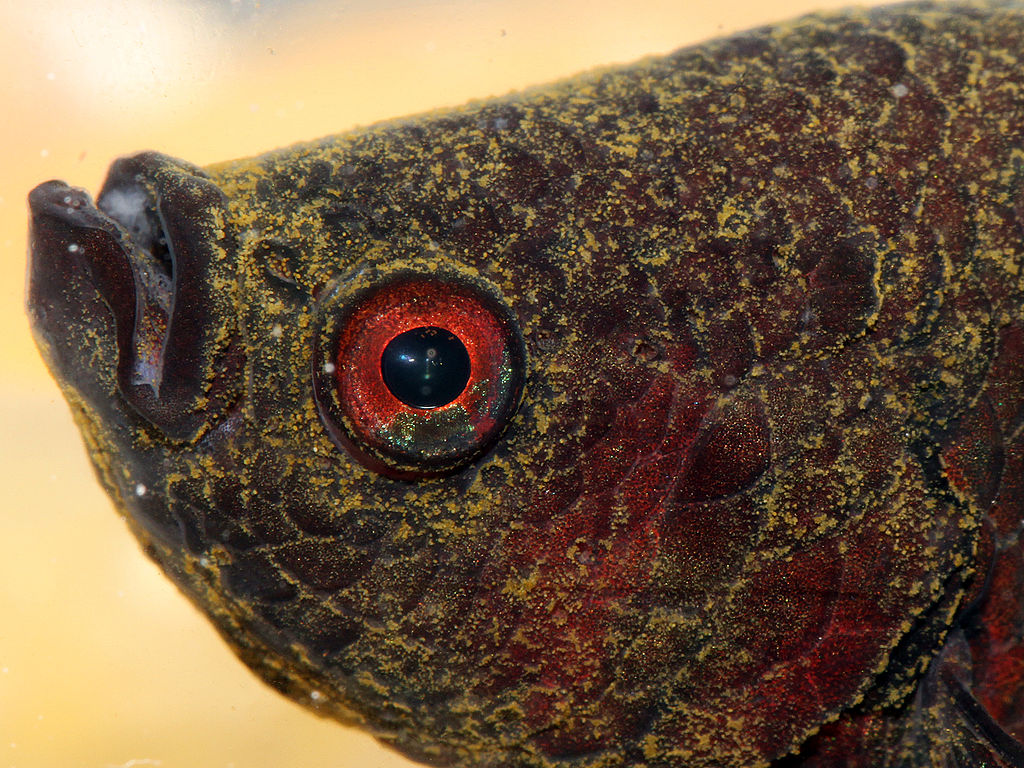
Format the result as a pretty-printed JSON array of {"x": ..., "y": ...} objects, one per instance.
[{"x": 414, "y": 374}]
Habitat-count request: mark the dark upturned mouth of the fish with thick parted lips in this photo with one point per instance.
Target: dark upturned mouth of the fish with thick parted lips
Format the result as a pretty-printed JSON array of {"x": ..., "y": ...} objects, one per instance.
[{"x": 136, "y": 271}]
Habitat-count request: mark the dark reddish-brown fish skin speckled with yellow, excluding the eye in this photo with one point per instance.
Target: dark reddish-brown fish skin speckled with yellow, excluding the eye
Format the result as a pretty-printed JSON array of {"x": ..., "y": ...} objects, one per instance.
[{"x": 762, "y": 499}]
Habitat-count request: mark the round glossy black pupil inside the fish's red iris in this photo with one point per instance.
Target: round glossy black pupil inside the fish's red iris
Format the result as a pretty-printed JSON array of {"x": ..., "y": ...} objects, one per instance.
[{"x": 426, "y": 367}]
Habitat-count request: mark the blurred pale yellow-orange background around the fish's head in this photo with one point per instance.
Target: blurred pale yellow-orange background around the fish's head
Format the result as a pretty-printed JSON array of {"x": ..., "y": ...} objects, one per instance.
[{"x": 103, "y": 665}]
